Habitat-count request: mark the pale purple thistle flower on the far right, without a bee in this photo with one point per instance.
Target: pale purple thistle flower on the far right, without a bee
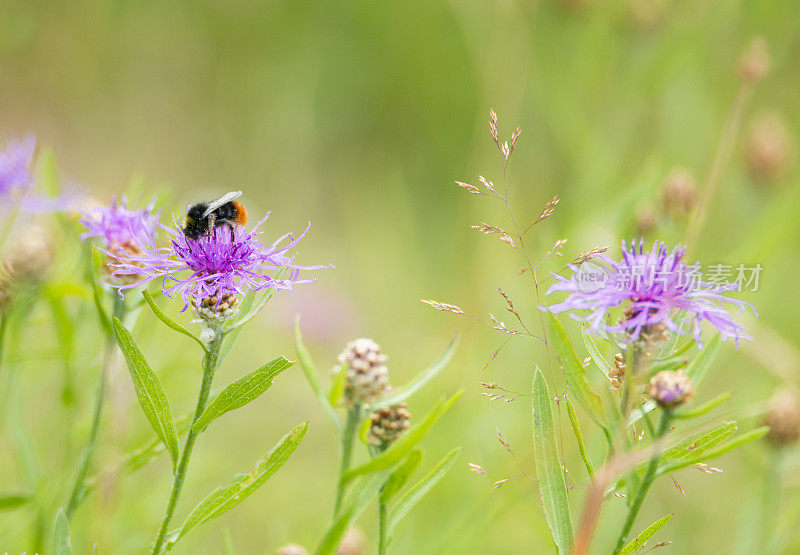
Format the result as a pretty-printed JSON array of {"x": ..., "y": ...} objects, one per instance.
[{"x": 657, "y": 284}]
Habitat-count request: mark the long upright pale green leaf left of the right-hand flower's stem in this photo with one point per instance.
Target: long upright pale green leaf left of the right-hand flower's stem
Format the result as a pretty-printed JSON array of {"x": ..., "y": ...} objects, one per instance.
[{"x": 548, "y": 467}]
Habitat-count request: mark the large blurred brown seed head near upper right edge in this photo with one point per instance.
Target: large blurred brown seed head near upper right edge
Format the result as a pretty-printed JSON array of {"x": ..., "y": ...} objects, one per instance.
[{"x": 768, "y": 146}]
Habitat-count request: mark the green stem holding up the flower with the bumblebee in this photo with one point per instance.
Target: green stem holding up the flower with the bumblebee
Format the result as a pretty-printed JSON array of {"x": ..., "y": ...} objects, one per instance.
[{"x": 209, "y": 367}]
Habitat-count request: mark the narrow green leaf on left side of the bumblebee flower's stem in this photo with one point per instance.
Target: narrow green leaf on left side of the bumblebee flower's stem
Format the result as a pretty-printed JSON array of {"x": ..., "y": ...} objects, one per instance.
[{"x": 148, "y": 387}]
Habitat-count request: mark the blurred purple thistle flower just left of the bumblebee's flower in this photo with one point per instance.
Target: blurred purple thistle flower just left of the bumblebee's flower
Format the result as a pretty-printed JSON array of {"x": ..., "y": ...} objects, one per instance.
[{"x": 117, "y": 225}]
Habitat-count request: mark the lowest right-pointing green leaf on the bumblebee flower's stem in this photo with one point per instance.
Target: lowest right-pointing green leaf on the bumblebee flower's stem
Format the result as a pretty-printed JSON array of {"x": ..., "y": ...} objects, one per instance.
[{"x": 223, "y": 499}]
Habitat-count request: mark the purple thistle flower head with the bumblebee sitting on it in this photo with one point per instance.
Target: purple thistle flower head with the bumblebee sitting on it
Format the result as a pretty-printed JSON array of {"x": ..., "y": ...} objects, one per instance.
[{"x": 223, "y": 262}]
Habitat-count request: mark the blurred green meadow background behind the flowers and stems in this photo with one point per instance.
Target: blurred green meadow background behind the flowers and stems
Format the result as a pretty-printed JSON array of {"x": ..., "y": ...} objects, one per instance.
[{"x": 358, "y": 116}]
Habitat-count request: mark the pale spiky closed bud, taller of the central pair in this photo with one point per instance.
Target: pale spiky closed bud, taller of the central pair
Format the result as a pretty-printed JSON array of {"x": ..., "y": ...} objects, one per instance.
[{"x": 367, "y": 375}]
